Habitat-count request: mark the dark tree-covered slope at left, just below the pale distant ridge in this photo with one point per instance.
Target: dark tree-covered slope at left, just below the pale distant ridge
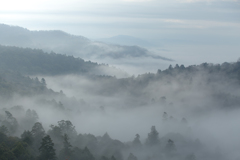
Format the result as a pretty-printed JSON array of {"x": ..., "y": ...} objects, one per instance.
[{"x": 34, "y": 62}]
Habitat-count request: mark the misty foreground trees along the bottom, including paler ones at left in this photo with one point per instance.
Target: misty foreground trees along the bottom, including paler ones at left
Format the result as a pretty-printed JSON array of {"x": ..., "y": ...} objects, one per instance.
[{"x": 63, "y": 142}]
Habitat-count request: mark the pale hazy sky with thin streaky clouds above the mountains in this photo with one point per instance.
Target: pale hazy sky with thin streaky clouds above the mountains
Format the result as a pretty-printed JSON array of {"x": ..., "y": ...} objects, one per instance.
[{"x": 184, "y": 29}]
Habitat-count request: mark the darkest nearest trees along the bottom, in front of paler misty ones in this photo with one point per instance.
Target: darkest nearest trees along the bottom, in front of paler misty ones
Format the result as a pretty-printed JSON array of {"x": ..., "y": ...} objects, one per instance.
[{"x": 56, "y": 144}]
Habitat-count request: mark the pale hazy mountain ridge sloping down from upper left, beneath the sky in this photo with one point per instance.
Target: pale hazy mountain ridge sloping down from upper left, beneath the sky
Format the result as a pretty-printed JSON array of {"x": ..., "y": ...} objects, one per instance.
[{"x": 64, "y": 43}]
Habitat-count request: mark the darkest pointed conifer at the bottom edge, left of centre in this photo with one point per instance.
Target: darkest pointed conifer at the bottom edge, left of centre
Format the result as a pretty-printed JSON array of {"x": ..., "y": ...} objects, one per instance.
[{"x": 47, "y": 151}]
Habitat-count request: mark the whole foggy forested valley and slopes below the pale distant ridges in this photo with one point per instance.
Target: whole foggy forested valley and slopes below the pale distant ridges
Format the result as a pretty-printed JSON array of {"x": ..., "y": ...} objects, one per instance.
[{"x": 60, "y": 107}]
